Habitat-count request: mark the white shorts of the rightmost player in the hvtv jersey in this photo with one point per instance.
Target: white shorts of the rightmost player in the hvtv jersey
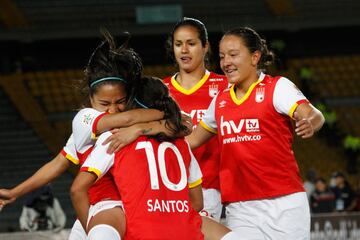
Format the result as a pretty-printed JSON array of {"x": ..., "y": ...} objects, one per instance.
[{"x": 286, "y": 217}]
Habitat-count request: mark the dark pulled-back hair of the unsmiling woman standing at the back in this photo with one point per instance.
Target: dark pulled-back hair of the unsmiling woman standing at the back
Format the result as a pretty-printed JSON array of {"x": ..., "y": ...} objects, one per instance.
[{"x": 201, "y": 30}]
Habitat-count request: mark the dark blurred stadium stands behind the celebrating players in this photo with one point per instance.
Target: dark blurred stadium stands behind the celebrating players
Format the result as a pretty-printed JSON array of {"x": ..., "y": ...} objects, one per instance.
[{"x": 45, "y": 44}]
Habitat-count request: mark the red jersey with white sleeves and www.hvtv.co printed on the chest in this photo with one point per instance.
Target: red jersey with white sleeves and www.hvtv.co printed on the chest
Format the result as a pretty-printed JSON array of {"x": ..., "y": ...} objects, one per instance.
[{"x": 256, "y": 134}]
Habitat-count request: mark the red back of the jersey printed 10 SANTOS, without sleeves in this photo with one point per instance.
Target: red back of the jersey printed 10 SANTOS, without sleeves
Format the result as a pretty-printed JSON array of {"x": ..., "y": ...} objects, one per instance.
[{"x": 152, "y": 178}]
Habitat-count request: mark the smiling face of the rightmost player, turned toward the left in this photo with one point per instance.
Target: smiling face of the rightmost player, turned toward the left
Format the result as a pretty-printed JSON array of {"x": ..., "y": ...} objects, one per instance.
[{"x": 236, "y": 61}]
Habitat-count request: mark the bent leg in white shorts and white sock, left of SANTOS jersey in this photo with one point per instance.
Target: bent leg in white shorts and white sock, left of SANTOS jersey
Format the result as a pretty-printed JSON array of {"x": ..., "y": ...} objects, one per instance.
[{"x": 104, "y": 217}]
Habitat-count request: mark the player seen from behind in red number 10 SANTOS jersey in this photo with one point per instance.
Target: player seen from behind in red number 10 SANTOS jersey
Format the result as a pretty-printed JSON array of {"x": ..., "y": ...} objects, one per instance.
[{"x": 154, "y": 176}]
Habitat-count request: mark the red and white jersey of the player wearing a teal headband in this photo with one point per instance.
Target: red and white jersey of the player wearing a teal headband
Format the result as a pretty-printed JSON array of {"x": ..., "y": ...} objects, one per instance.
[{"x": 82, "y": 142}]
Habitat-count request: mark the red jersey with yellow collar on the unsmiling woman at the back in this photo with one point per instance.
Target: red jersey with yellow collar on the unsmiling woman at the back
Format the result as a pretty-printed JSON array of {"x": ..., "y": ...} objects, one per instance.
[{"x": 195, "y": 101}]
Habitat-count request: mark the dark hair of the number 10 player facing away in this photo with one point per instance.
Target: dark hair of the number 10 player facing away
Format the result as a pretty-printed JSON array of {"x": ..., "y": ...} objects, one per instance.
[{"x": 153, "y": 93}]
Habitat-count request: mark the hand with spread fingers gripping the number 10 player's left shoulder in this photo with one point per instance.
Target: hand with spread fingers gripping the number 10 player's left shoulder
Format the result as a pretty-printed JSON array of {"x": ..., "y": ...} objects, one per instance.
[{"x": 120, "y": 138}]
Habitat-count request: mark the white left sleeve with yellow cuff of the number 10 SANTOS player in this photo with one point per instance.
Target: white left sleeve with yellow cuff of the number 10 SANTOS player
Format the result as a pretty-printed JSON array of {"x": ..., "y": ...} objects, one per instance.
[{"x": 99, "y": 161}]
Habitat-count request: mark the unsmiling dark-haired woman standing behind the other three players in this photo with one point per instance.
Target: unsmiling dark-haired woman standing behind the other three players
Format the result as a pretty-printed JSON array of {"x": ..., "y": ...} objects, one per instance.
[{"x": 193, "y": 87}]
